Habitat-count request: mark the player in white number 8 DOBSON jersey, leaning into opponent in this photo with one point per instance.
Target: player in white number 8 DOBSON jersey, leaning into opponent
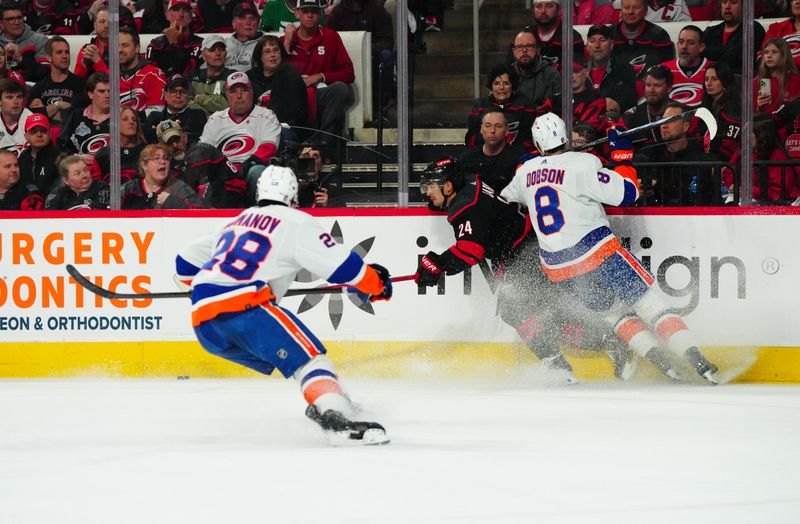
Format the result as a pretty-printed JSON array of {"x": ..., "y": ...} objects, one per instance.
[{"x": 564, "y": 191}]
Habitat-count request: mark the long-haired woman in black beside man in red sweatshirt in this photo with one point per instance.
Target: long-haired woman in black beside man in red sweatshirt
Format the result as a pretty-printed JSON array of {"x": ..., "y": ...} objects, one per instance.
[{"x": 278, "y": 86}]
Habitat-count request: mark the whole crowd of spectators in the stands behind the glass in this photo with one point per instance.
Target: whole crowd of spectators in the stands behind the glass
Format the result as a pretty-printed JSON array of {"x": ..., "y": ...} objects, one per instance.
[{"x": 201, "y": 117}]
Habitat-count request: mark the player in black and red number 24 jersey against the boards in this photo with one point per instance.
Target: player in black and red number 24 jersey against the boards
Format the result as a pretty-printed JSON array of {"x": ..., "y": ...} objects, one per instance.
[{"x": 489, "y": 228}]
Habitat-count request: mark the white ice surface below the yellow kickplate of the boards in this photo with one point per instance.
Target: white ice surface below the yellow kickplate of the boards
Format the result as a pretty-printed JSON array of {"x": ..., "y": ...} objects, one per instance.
[{"x": 80, "y": 451}]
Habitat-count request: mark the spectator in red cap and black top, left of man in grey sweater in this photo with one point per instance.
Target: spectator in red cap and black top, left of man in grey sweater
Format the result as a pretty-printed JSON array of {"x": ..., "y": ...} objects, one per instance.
[{"x": 178, "y": 50}]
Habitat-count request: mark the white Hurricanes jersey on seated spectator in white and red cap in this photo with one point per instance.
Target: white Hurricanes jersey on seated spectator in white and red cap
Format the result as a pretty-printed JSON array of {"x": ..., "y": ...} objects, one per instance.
[{"x": 259, "y": 134}]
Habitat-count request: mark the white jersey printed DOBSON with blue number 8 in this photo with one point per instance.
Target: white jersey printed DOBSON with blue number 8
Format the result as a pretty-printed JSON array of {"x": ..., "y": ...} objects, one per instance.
[{"x": 564, "y": 194}]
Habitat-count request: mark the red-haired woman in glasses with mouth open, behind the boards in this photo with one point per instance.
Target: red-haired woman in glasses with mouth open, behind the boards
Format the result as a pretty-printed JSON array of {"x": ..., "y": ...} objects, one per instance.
[{"x": 157, "y": 188}]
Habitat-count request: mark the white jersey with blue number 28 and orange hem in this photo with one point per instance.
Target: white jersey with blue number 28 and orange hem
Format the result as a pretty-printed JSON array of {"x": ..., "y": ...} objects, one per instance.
[{"x": 255, "y": 258}]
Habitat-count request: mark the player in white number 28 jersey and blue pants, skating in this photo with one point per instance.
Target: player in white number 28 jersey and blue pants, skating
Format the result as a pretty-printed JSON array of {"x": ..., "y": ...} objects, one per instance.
[{"x": 239, "y": 274}]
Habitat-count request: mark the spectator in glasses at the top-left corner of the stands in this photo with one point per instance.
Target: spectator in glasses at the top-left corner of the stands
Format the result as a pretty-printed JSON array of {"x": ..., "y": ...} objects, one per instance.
[{"x": 24, "y": 47}]
